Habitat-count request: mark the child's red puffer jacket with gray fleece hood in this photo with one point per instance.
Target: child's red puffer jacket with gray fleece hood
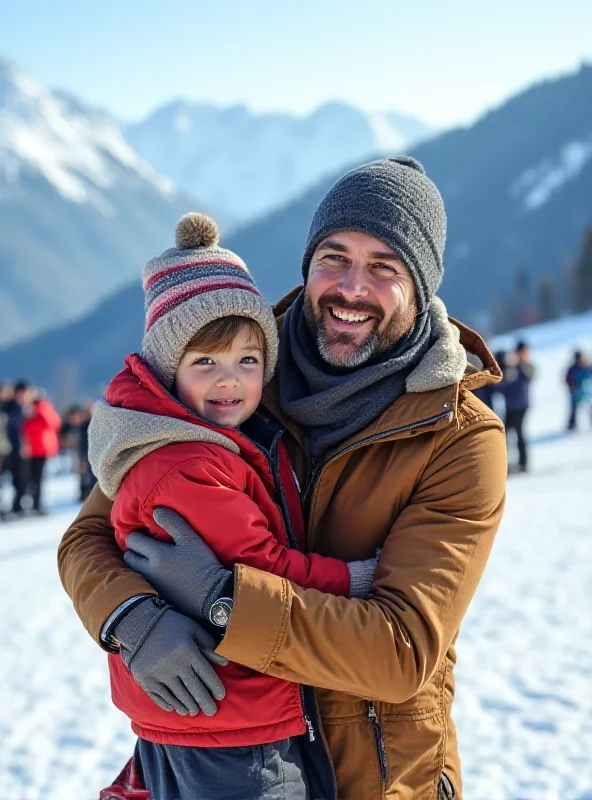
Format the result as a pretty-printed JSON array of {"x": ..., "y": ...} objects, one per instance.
[{"x": 228, "y": 494}]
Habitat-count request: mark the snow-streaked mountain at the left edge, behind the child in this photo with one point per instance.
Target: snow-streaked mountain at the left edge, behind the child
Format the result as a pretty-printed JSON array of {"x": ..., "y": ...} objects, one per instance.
[{"x": 79, "y": 209}]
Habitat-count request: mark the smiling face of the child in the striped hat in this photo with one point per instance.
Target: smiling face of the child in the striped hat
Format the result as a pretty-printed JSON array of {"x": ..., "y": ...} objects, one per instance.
[{"x": 224, "y": 388}]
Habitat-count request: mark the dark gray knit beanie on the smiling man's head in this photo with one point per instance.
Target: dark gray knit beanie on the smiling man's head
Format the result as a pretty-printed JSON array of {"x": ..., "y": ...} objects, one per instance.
[{"x": 394, "y": 200}]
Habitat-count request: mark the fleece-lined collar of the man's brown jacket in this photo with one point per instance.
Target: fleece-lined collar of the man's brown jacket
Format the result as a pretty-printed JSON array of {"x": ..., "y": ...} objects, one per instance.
[{"x": 431, "y": 400}]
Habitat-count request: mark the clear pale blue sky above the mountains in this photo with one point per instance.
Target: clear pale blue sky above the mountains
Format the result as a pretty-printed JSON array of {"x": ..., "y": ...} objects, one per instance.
[{"x": 444, "y": 62}]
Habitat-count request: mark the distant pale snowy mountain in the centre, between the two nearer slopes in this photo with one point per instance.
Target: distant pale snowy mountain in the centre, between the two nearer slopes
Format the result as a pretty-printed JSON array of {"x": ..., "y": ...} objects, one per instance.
[{"x": 250, "y": 163}]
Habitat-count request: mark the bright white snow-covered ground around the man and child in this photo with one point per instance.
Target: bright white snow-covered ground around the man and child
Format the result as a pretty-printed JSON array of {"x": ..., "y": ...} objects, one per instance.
[{"x": 524, "y": 674}]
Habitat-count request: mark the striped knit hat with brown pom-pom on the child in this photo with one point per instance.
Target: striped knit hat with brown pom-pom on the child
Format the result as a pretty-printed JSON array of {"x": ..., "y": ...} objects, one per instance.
[{"x": 193, "y": 284}]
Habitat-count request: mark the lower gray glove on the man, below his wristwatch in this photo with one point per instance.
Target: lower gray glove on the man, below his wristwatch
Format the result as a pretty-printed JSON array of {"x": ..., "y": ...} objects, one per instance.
[{"x": 171, "y": 657}]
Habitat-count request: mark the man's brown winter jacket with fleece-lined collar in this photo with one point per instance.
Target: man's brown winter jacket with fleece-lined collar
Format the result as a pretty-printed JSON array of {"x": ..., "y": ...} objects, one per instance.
[{"x": 426, "y": 483}]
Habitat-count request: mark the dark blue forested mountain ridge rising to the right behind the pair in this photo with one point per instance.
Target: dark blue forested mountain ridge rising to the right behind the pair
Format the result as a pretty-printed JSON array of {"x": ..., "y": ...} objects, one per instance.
[{"x": 534, "y": 147}]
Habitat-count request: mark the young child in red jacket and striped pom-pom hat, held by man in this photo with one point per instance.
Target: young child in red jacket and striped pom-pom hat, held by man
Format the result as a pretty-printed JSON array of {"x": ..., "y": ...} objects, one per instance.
[{"x": 180, "y": 430}]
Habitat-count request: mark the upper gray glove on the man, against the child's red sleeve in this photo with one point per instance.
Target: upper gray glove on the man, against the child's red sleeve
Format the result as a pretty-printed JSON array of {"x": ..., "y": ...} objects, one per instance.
[{"x": 186, "y": 573}]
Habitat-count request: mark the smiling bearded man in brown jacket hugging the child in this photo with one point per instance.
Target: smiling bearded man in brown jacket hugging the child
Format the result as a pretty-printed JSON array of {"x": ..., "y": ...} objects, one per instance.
[{"x": 394, "y": 452}]
